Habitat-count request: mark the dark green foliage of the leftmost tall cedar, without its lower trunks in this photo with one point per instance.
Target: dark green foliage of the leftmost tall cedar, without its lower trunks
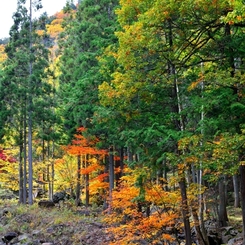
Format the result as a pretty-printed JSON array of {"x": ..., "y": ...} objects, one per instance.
[{"x": 16, "y": 70}]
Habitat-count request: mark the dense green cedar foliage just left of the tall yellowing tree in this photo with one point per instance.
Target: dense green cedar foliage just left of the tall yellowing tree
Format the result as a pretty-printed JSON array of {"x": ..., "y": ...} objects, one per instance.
[{"x": 87, "y": 32}]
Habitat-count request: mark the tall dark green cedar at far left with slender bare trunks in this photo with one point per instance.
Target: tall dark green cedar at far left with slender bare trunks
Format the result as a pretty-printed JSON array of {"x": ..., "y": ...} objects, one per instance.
[{"x": 25, "y": 86}]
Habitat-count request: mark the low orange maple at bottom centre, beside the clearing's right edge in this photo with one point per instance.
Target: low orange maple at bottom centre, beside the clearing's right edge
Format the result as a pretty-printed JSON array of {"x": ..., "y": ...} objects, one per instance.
[{"x": 151, "y": 218}]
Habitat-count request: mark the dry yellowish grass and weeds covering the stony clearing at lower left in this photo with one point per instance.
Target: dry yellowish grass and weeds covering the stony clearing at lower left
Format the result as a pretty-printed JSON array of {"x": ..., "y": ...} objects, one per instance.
[{"x": 60, "y": 226}]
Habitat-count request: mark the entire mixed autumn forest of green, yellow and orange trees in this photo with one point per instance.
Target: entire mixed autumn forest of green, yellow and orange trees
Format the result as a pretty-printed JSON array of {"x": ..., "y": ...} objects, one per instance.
[{"x": 134, "y": 105}]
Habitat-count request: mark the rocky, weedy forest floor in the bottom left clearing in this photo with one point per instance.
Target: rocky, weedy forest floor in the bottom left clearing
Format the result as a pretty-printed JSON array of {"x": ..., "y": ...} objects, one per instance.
[{"x": 53, "y": 226}]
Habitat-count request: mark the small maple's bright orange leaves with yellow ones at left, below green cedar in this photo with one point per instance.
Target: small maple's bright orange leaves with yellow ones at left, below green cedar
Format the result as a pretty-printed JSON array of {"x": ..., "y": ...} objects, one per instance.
[{"x": 92, "y": 160}]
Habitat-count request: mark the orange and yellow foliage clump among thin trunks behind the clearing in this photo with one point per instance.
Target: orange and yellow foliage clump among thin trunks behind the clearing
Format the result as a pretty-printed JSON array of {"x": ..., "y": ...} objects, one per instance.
[{"x": 82, "y": 156}]
